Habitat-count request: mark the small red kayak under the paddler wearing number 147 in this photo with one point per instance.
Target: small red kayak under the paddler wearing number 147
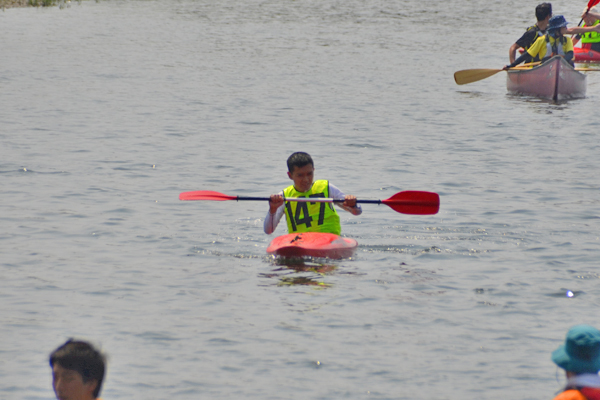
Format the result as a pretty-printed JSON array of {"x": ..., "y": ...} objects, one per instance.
[{"x": 312, "y": 244}]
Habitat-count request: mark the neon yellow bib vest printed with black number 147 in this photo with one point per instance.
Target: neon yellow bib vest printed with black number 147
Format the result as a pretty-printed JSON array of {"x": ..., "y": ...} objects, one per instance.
[{"x": 311, "y": 217}]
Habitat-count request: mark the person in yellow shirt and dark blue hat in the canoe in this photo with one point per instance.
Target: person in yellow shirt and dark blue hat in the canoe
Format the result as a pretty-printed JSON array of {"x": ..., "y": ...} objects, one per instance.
[{"x": 554, "y": 42}]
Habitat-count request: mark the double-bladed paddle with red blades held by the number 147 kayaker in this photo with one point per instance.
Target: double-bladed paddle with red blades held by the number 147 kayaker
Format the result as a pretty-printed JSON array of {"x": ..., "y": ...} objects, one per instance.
[{"x": 407, "y": 202}]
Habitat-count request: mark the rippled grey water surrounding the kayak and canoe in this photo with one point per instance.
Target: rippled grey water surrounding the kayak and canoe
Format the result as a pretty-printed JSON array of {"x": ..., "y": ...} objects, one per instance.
[{"x": 110, "y": 109}]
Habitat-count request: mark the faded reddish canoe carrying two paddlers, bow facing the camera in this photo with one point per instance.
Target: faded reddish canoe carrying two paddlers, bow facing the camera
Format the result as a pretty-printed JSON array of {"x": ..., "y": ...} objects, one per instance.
[{"x": 555, "y": 80}]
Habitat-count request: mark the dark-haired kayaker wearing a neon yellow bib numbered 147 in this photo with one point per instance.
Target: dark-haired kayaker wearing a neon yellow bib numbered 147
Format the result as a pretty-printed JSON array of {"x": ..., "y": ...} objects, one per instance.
[{"x": 308, "y": 217}]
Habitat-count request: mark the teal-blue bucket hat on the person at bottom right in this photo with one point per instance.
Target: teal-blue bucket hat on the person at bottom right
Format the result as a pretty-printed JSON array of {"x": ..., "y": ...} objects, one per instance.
[{"x": 581, "y": 351}]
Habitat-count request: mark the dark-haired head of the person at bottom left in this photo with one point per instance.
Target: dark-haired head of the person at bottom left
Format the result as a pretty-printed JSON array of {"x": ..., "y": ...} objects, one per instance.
[{"x": 77, "y": 371}]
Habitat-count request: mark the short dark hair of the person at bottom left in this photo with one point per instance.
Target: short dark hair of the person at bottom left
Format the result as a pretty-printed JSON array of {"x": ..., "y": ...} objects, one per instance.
[{"x": 82, "y": 358}]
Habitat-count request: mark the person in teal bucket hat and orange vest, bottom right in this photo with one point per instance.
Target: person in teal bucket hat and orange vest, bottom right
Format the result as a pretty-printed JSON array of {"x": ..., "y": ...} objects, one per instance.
[{"x": 580, "y": 358}]
